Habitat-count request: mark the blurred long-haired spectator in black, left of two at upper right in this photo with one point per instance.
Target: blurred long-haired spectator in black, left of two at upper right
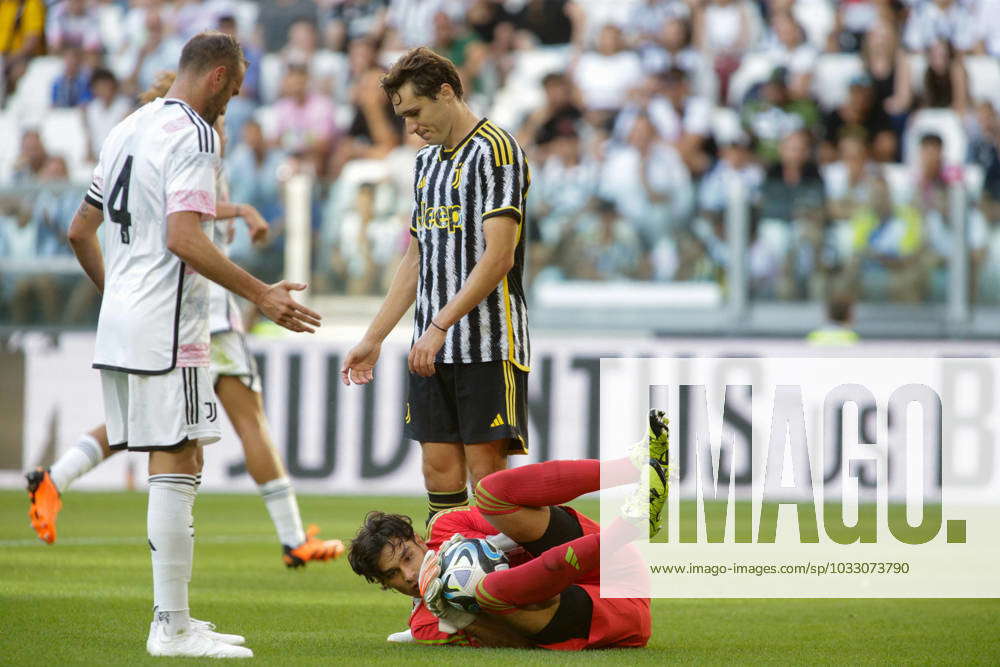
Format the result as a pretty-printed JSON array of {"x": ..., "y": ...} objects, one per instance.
[{"x": 889, "y": 68}]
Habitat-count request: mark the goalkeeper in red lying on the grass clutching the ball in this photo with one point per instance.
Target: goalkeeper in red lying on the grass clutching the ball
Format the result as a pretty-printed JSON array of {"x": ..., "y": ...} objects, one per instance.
[{"x": 550, "y": 596}]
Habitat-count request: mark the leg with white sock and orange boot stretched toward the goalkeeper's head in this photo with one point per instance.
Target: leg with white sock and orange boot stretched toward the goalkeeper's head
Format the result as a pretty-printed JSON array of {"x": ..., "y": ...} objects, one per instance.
[{"x": 246, "y": 412}]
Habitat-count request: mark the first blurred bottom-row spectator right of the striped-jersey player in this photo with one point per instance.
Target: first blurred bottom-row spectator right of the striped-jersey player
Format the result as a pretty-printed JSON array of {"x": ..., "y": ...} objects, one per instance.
[{"x": 601, "y": 245}]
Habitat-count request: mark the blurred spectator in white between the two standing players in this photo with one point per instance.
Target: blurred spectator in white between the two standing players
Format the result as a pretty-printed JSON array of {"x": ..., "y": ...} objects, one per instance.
[{"x": 366, "y": 246}]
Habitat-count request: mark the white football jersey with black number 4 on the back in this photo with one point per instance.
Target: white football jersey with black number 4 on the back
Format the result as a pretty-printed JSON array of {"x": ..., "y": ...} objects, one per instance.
[{"x": 162, "y": 159}]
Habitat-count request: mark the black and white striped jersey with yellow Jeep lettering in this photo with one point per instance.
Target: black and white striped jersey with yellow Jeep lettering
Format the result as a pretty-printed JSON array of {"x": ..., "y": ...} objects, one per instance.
[{"x": 456, "y": 191}]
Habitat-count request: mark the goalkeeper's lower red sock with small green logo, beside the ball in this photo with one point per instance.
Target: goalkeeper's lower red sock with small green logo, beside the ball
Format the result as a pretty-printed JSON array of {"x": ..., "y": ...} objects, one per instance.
[{"x": 539, "y": 579}]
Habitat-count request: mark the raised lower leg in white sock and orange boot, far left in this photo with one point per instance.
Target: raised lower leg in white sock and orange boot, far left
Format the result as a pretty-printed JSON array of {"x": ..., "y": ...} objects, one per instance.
[{"x": 46, "y": 486}]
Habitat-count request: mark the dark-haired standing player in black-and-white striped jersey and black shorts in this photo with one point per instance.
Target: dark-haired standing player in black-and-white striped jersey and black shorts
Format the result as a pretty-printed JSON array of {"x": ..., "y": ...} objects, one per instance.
[{"x": 469, "y": 360}]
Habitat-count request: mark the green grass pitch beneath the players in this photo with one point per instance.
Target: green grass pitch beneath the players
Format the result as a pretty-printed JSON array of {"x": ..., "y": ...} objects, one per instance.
[{"x": 86, "y": 600}]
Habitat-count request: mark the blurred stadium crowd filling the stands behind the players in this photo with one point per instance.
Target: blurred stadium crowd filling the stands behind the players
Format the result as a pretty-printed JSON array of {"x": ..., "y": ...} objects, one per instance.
[{"x": 848, "y": 130}]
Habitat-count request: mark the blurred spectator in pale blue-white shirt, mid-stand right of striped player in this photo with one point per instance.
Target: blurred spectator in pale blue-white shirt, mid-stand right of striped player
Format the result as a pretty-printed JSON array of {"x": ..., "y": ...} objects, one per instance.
[{"x": 648, "y": 181}]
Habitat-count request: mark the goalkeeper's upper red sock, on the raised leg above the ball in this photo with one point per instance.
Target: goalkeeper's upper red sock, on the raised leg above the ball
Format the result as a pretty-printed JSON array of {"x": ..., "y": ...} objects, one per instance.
[{"x": 537, "y": 485}]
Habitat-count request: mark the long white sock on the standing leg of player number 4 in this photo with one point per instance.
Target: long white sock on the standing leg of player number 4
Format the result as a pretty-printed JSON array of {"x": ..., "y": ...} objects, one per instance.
[{"x": 170, "y": 526}]
